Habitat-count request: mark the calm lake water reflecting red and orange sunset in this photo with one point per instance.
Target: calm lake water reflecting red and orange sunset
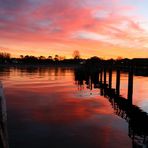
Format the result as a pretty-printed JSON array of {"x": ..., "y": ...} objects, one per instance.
[{"x": 48, "y": 109}]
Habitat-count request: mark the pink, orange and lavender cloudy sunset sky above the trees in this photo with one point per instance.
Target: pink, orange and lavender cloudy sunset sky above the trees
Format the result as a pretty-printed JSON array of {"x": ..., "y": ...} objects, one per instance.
[{"x": 103, "y": 28}]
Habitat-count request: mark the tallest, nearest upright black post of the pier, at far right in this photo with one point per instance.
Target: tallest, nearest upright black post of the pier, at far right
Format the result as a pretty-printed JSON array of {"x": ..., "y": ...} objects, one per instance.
[{"x": 130, "y": 85}]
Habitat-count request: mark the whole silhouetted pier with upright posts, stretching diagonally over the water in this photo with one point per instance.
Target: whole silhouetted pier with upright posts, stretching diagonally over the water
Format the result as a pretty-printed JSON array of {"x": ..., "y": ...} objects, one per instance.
[{"x": 136, "y": 118}]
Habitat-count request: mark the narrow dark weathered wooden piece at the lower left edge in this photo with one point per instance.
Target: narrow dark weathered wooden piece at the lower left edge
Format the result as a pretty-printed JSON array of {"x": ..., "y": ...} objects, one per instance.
[{"x": 3, "y": 120}]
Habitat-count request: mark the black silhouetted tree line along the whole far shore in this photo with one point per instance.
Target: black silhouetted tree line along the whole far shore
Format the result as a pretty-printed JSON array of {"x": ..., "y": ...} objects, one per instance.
[{"x": 5, "y": 58}]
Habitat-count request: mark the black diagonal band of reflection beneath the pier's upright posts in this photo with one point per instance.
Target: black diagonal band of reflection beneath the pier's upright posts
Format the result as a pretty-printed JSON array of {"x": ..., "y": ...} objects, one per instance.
[{"x": 137, "y": 119}]
